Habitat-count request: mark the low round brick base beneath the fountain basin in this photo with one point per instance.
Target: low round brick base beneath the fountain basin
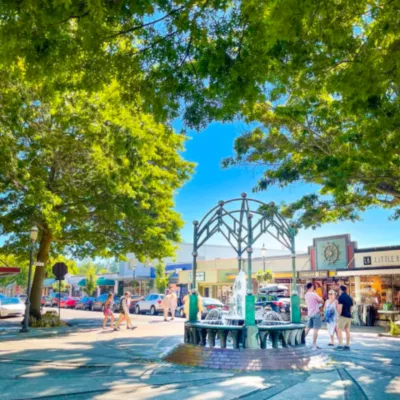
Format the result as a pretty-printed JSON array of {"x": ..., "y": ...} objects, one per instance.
[{"x": 301, "y": 357}]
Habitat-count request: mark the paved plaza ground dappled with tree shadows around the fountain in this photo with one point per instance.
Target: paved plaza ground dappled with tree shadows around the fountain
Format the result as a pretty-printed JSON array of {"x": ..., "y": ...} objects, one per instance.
[{"x": 92, "y": 363}]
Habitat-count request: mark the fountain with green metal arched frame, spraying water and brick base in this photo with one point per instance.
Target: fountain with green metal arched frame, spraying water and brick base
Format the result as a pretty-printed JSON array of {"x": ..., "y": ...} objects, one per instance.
[{"x": 244, "y": 338}]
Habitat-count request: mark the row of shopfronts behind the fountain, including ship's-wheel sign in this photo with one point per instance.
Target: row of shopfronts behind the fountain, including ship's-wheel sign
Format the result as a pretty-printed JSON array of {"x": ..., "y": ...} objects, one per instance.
[{"x": 372, "y": 275}]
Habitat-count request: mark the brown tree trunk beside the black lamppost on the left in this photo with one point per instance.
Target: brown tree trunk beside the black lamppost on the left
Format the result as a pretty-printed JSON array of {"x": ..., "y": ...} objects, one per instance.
[{"x": 40, "y": 272}]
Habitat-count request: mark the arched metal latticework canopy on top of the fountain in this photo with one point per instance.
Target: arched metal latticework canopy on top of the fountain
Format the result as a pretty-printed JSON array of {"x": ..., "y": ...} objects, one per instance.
[{"x": 242, "y": 221}]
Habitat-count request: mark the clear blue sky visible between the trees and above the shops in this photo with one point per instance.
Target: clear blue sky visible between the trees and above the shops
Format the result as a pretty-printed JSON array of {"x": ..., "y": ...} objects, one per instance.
[{"x": 211, "y": 183}]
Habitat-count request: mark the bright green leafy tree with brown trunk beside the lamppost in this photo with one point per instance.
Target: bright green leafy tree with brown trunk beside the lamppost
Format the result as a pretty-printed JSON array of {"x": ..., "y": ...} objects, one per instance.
[{"x": 96, "y": 175}]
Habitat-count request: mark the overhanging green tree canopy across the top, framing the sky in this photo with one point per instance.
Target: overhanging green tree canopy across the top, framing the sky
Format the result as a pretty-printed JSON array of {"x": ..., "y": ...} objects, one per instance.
[{"x": 323, "y": 81}]
